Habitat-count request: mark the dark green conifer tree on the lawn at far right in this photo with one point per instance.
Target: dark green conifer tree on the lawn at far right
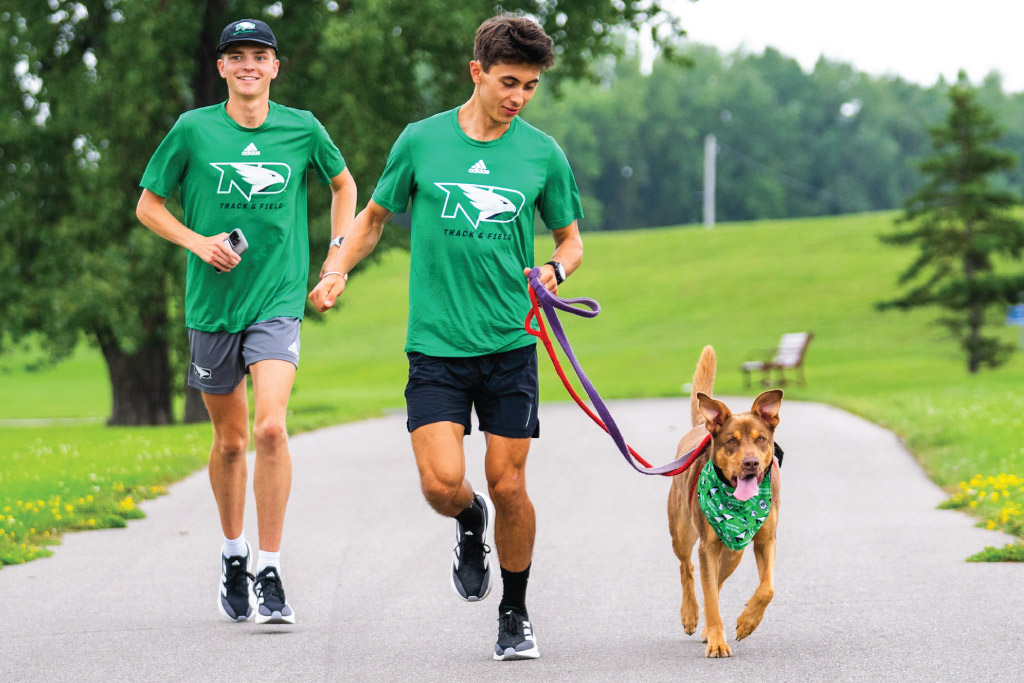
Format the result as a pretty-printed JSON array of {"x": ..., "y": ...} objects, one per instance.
[{"x": 961, "y": 226}]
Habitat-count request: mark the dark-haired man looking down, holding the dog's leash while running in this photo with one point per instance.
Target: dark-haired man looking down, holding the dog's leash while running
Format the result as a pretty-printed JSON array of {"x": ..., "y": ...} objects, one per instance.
[{"x": 476, "y": 176}]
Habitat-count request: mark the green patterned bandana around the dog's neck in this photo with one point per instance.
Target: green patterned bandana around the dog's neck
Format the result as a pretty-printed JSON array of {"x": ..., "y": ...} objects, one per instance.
[{"x": 735, "y": 522}]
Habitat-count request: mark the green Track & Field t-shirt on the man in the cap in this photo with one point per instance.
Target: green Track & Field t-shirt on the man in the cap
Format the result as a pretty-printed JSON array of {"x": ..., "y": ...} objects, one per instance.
[{"x": 251, "y": 179}]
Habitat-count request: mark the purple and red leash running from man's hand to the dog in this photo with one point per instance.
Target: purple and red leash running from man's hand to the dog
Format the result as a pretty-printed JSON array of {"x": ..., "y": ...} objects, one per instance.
[{"x": 542, "y": 298}]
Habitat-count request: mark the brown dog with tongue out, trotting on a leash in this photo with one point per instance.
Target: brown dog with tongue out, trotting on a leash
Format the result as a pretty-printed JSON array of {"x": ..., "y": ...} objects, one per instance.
[{"x": 742, "y": 449}]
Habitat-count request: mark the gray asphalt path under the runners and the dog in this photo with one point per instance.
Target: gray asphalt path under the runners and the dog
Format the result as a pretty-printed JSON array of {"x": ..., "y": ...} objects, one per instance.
[{"x": 872, "y": 583}]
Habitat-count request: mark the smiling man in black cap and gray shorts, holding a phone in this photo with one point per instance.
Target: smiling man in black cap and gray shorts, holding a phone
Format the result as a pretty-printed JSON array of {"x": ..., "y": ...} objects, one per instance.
[{"x": 242, "y": 165}]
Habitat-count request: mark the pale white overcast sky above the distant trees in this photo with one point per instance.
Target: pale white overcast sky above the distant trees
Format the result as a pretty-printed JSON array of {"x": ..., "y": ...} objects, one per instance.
[{"x": 917, "y": 39}]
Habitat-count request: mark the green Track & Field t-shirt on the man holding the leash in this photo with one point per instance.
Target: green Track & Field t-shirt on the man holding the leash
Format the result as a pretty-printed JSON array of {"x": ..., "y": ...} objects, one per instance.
[{"x": 473, "y": 229}]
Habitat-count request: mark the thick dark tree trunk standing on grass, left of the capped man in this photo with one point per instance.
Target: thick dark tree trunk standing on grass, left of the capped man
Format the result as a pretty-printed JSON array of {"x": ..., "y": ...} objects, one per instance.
[{"x": 141, "y": 381}]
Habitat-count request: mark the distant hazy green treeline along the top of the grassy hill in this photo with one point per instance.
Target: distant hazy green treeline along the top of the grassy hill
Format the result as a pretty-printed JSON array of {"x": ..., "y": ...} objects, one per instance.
[{"x": 791, "y": 144}]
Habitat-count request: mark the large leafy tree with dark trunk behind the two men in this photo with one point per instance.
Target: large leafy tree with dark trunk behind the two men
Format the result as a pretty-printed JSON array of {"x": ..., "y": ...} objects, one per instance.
[{"x": 90, "y": 88}]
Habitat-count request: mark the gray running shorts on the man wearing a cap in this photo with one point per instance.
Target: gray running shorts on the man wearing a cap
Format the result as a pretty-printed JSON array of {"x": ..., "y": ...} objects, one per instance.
[{"x": 222, "y": 360}]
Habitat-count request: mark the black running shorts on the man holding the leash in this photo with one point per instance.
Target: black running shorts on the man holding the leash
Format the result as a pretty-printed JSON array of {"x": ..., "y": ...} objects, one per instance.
[{"x": 502, "y": 388}]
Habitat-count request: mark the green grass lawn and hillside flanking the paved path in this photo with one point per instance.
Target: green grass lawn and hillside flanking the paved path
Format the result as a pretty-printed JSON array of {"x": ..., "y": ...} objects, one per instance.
[{"x": 665, "y": 294}]
